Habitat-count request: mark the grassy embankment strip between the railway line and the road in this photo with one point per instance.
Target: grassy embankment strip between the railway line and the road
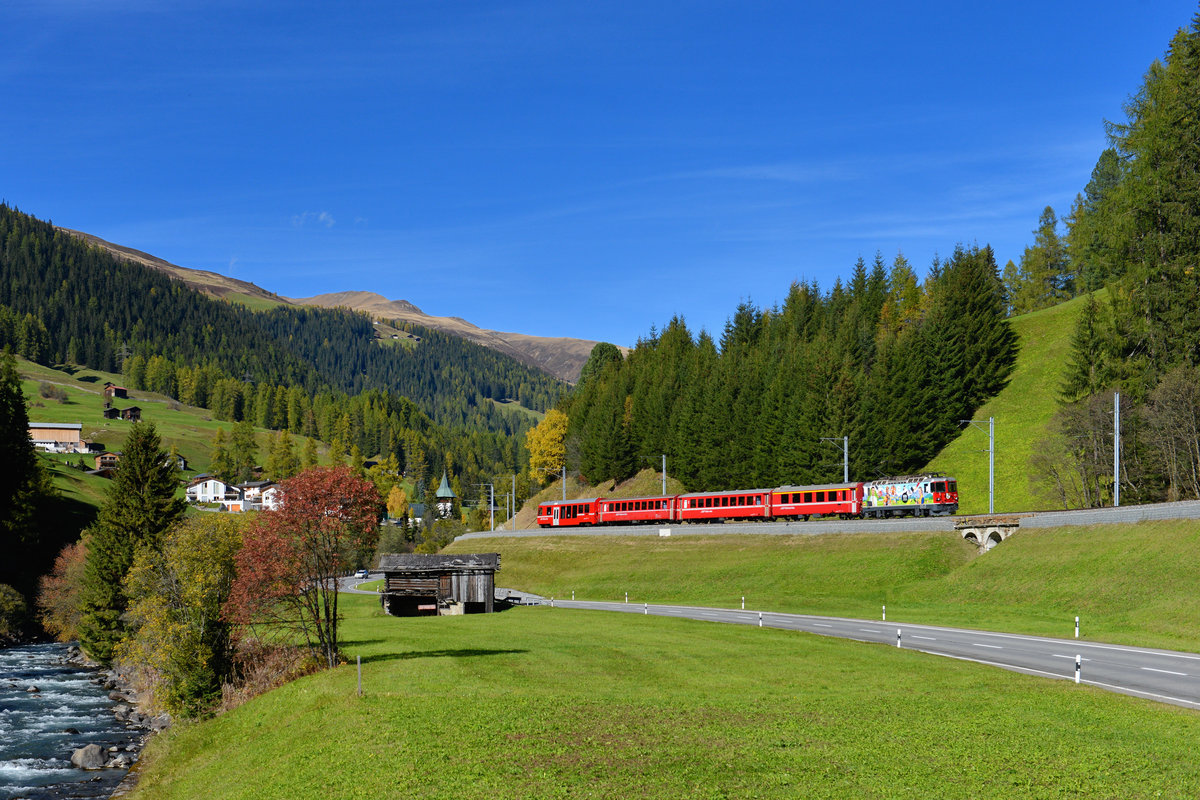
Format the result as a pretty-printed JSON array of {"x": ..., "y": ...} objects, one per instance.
[{"x": 1130, "y": 584}]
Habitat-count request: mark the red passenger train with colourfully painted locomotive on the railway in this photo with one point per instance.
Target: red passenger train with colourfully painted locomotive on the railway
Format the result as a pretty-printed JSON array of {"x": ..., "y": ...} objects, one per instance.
[{"x": 919, "y": 496}]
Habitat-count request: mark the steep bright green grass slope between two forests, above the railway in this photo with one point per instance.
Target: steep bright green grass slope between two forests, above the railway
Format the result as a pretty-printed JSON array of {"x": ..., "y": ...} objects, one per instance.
[{"x": 1022, "y": 413}]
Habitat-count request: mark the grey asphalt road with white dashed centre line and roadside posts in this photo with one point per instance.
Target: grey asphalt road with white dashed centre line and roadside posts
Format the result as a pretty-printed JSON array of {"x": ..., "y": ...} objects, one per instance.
[{"x": 1165, "y": 676}]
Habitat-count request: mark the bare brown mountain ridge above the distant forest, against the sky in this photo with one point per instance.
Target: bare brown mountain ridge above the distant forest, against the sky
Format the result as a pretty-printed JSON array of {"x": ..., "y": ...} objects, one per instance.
[{"x": 561, "y": 357}]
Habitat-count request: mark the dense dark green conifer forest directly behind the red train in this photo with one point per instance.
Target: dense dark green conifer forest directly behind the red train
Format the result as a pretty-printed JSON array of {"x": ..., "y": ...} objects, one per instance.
[{"x": 887, "y": 362}]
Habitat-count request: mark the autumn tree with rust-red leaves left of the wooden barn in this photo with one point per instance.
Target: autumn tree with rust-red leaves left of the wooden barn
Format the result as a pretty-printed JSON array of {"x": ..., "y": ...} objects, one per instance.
[{"x": 291, "y": 560}]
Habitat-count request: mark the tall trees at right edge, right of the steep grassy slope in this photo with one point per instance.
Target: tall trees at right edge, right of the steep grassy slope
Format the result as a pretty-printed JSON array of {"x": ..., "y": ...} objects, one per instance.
[{"x": 1136, "y": 230}]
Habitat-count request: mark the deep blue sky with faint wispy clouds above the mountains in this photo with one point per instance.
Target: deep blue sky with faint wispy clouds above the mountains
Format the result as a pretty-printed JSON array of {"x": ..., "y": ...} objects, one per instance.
[{"x": 583, "y": 170}]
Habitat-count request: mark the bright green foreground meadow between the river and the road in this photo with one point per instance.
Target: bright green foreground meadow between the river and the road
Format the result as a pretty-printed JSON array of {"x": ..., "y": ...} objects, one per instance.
[{"x": 553, "y": 703}]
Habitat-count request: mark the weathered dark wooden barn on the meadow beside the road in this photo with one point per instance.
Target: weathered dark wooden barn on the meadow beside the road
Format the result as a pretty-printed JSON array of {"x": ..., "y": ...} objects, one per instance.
[{"x": 418, "y": 585}]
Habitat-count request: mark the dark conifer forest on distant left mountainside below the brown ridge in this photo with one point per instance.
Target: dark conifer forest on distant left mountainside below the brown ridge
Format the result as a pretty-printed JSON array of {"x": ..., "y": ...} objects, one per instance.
[{"x": 63, "y": 302}]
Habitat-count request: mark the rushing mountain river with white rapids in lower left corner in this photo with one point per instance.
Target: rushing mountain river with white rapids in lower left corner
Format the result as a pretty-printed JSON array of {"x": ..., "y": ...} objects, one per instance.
[{"x": 39, "y": 731}]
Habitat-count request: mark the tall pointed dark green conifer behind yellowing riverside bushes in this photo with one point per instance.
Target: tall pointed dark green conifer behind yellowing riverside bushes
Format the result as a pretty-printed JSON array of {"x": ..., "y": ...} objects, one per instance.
[{"x": 141, "y": 507}]
